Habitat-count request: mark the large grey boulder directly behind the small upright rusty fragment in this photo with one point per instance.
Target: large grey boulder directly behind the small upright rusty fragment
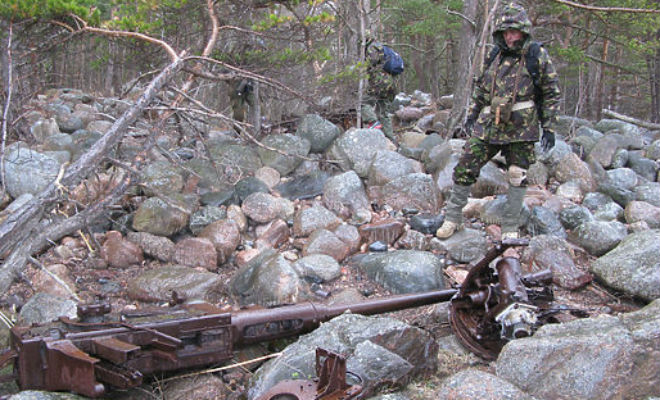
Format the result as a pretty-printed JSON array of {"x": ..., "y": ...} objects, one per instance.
[{"x": 377, "y": 349}]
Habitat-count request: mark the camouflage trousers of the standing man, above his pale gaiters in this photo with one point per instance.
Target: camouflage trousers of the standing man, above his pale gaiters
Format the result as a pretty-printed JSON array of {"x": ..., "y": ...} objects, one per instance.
[{"x": 477, "y": 153}]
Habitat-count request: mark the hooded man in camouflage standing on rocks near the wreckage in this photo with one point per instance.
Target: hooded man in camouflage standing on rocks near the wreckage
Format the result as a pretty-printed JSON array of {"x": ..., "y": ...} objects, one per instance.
[{"x": 504, "y": 116}]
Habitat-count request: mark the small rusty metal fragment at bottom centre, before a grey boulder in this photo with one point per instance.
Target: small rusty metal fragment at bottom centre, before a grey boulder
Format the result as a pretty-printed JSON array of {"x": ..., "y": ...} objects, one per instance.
[{"x": 330, "y": 385}]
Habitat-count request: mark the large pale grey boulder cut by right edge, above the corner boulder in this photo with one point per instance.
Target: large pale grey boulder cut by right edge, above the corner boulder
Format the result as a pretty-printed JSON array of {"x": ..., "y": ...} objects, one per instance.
[{"x": 633, "y": 266}]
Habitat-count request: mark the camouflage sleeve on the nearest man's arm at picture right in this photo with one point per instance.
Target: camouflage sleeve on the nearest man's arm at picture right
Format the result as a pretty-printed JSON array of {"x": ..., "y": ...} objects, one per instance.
[{"x": 549, "y": 90}]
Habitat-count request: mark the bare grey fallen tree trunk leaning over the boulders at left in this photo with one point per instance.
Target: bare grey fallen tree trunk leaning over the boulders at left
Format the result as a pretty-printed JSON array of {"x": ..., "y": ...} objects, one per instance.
[{"x": 24, "y": 232}]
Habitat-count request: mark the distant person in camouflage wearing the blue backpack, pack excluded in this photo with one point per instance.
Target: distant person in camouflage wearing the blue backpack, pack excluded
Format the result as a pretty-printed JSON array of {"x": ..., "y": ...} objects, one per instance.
[{"x": 381, "y": 90}]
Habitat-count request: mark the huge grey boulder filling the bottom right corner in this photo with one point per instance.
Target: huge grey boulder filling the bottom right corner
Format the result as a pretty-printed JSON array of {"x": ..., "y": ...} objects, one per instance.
[{"x": 605, "y": 357}]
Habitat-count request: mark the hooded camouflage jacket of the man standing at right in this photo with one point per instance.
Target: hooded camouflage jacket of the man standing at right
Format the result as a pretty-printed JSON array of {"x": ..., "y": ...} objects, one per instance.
[{"x": 504, "y": 73}]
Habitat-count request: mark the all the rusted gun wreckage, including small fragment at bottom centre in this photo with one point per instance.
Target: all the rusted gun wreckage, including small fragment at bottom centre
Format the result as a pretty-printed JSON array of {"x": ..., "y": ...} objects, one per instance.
[{"x": 92, "y": 355}]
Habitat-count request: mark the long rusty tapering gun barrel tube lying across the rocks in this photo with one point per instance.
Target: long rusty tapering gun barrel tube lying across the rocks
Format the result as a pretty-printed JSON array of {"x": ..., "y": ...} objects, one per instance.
[{"x": 253, "y": 326}]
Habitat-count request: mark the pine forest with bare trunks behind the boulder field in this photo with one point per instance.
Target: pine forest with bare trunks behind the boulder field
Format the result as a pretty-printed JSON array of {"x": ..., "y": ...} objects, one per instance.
[{"x": 308, "y": 53}]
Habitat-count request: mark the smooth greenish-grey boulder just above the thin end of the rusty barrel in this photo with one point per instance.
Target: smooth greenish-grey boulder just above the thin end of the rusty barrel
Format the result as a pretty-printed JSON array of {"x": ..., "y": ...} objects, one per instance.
[{"x": 404, "y": 271}]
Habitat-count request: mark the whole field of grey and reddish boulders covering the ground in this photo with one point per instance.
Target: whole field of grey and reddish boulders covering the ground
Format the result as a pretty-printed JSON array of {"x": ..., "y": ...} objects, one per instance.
[{"x": 332, "y": 215}]
